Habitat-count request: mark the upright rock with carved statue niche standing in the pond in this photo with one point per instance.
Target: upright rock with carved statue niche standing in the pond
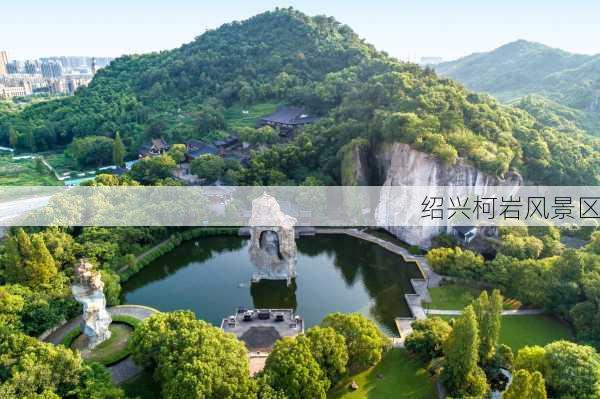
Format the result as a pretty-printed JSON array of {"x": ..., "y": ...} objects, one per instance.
[{"x": 272, "y": 241}]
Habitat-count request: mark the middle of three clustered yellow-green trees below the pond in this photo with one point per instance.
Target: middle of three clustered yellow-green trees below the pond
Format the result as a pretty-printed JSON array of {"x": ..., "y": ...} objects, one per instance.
[{"x": 329, "y": 350}]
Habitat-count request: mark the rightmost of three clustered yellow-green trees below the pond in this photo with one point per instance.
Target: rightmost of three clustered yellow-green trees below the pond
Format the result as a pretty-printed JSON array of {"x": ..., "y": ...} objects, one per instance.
[{"x": 364, "y": 341}]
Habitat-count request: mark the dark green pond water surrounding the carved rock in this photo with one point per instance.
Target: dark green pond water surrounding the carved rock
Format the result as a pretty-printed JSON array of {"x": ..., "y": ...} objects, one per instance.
[{"x": 335, "y": 273}]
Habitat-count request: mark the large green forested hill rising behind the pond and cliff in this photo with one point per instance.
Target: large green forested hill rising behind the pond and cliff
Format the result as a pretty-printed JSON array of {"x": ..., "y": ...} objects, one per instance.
[{"x": 284, "y": 56}]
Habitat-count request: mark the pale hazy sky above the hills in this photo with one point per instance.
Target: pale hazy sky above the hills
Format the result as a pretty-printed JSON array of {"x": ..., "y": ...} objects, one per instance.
[{"x": 405, "y": 29}]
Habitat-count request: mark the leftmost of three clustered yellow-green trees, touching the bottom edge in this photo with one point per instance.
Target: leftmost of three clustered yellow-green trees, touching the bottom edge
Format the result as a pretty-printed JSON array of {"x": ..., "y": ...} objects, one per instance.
[{"x": 292, "y": 369}]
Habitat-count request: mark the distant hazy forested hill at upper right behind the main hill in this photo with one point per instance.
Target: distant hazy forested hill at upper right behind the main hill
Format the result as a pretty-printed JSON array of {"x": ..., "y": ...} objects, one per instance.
[{"x": 570, "y": 82}]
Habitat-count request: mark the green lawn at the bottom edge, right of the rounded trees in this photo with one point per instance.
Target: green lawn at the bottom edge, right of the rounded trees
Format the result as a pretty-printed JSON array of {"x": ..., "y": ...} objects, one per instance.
[{"x": 403, "y": 377}]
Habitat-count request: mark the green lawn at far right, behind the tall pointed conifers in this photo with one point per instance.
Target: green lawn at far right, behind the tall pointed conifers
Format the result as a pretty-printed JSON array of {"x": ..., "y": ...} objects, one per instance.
[{"x": 519, "y": 331}]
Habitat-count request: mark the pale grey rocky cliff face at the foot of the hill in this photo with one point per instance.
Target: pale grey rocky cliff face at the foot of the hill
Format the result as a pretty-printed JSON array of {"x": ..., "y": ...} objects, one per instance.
[{"x": 400, "y": 165}]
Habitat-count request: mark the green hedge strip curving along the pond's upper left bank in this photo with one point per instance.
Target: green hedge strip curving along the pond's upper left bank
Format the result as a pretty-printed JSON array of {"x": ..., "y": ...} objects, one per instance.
[{"x": 175, "y": 240}]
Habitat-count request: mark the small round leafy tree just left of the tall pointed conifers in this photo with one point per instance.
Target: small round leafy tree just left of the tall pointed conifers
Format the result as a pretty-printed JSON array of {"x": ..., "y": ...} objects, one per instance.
[{"x": 428, "y": 337}]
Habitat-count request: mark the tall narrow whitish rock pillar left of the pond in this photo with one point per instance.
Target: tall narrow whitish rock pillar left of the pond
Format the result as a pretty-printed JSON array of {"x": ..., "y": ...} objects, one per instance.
[{"x": 89, "y": 292}]
